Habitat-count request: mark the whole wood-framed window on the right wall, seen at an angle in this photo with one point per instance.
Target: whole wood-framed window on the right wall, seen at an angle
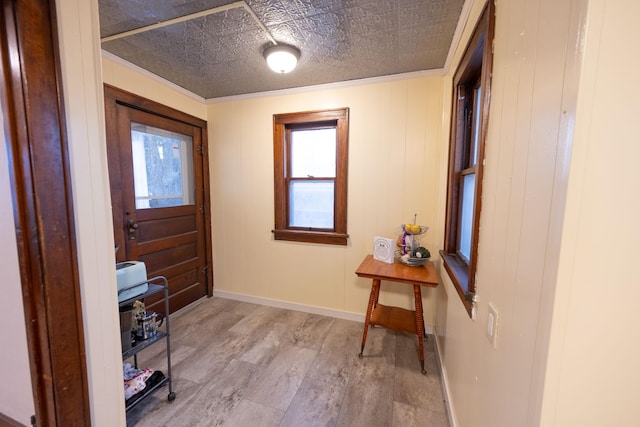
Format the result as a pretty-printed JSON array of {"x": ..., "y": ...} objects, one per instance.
[{"x": 471, "y": 83}]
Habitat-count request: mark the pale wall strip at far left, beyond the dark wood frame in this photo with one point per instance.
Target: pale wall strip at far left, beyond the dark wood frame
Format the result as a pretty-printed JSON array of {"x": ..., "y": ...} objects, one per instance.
[{"x": 16, "y": 401}]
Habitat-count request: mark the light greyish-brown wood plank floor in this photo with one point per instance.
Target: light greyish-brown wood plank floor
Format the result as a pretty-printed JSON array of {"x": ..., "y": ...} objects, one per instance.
[{"x": 241, "y": 364}]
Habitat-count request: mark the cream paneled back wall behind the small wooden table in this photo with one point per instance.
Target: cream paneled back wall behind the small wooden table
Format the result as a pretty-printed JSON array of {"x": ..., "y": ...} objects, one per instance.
[{"x": 395, "y": 146}]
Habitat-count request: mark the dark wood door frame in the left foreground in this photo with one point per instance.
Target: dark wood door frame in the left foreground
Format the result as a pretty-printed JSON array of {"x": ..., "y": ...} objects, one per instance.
[{"x": 31, "y": 97}]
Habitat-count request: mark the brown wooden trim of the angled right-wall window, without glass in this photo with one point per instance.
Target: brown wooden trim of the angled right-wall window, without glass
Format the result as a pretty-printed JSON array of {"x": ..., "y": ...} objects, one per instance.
[{"x": 478, "y": 55}]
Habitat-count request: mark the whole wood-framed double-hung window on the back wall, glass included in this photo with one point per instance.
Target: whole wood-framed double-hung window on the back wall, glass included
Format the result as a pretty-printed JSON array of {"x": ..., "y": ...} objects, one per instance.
[{"x": 310, "y": 171}]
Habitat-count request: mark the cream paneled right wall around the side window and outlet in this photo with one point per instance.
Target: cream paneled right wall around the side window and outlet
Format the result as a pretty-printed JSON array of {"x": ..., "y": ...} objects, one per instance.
[{"x": 533, "y": 97}]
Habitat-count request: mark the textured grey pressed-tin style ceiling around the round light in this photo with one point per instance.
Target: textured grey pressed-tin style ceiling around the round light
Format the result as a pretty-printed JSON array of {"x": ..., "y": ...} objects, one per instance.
[{"x": 220, "y": 54}]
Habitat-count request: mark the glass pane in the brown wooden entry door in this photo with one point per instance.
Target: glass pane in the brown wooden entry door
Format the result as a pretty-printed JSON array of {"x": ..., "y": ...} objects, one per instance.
[{"x": 162, "y": 167}]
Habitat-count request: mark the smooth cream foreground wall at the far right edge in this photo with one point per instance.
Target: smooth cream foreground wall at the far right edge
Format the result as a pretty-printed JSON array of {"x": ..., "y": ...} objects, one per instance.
[{"x": 592, "y": 377}]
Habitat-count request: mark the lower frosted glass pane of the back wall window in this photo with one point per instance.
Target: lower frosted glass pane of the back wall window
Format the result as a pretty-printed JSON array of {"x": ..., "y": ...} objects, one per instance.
[{"x": 311, "y": 204}]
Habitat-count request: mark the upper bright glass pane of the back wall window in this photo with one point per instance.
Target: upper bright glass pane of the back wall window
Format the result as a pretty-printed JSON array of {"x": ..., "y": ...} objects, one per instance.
[{"x": 313, "y": 153}]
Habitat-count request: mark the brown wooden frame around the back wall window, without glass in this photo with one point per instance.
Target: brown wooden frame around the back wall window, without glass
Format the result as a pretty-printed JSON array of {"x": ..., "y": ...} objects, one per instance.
[{"x": 282, "y": 123}]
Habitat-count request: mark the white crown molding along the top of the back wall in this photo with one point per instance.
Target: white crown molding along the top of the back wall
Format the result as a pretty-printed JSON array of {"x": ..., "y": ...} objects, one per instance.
[{"x": 439, "y": 72}]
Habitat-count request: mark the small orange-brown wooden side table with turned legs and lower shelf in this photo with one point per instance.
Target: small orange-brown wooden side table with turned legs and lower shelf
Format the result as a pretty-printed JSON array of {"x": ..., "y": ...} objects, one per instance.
[{"x": 394, "y": 317}]
